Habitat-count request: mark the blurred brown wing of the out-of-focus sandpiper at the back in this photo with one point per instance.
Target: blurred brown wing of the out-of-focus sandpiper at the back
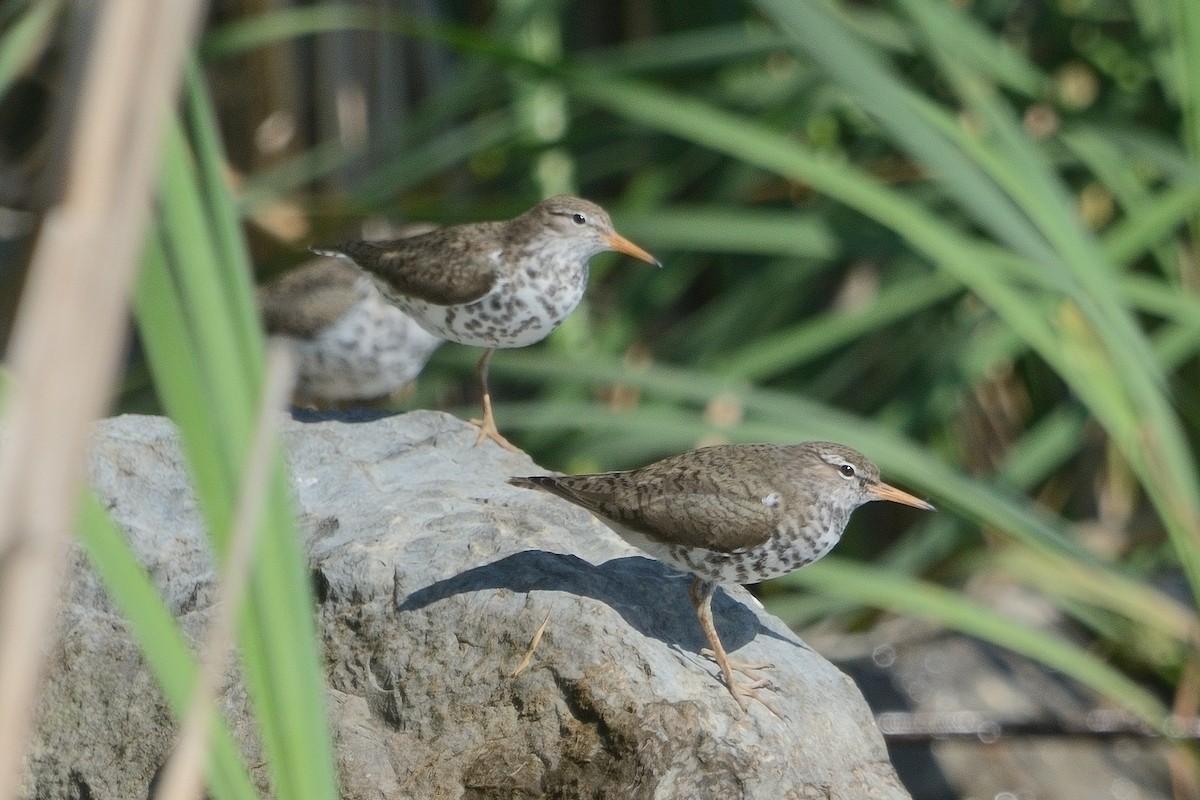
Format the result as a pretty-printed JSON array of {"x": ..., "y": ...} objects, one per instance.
[{"x": 308, "y": 299}]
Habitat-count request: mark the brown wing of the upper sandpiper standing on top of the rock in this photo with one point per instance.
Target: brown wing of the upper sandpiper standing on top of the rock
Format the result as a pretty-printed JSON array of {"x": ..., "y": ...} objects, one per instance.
[{"x": 441, "y": 267}]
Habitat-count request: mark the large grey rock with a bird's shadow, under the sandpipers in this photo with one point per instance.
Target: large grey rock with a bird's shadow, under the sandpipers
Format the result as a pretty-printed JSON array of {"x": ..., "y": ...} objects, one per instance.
[{"x": 433, "y": 578}]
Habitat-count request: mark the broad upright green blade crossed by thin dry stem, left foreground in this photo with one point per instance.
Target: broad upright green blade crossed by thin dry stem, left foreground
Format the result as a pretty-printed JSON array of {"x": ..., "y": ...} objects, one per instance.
[{"x": 189, "y": 323}]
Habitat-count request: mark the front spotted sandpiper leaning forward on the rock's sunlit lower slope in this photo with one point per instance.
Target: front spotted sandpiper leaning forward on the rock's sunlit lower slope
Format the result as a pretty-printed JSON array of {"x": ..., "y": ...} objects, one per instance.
[{"x": 733, "y": 514}]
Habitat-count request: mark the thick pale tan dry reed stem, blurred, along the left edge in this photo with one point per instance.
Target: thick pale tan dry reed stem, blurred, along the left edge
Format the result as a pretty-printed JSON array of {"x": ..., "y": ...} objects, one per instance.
[{"x": 68, "y": 336}]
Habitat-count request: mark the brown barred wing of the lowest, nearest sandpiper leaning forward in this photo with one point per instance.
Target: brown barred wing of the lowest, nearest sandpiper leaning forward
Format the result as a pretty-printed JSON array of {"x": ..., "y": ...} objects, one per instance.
[{"x": 680, "y": 509}]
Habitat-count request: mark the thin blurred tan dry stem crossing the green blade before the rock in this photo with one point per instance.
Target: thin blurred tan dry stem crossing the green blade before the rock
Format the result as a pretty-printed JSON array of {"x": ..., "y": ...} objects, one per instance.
[{"x": 184, "y": 774}]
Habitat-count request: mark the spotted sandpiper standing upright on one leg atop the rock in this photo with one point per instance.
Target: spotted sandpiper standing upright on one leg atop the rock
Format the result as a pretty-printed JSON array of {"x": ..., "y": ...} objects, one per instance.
[{"x": 494, "y": 285}]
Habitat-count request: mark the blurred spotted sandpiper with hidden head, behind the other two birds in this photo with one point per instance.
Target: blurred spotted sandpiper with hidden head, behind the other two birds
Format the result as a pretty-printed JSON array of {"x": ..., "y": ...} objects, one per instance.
[{"x": 351, "y": 345}]
